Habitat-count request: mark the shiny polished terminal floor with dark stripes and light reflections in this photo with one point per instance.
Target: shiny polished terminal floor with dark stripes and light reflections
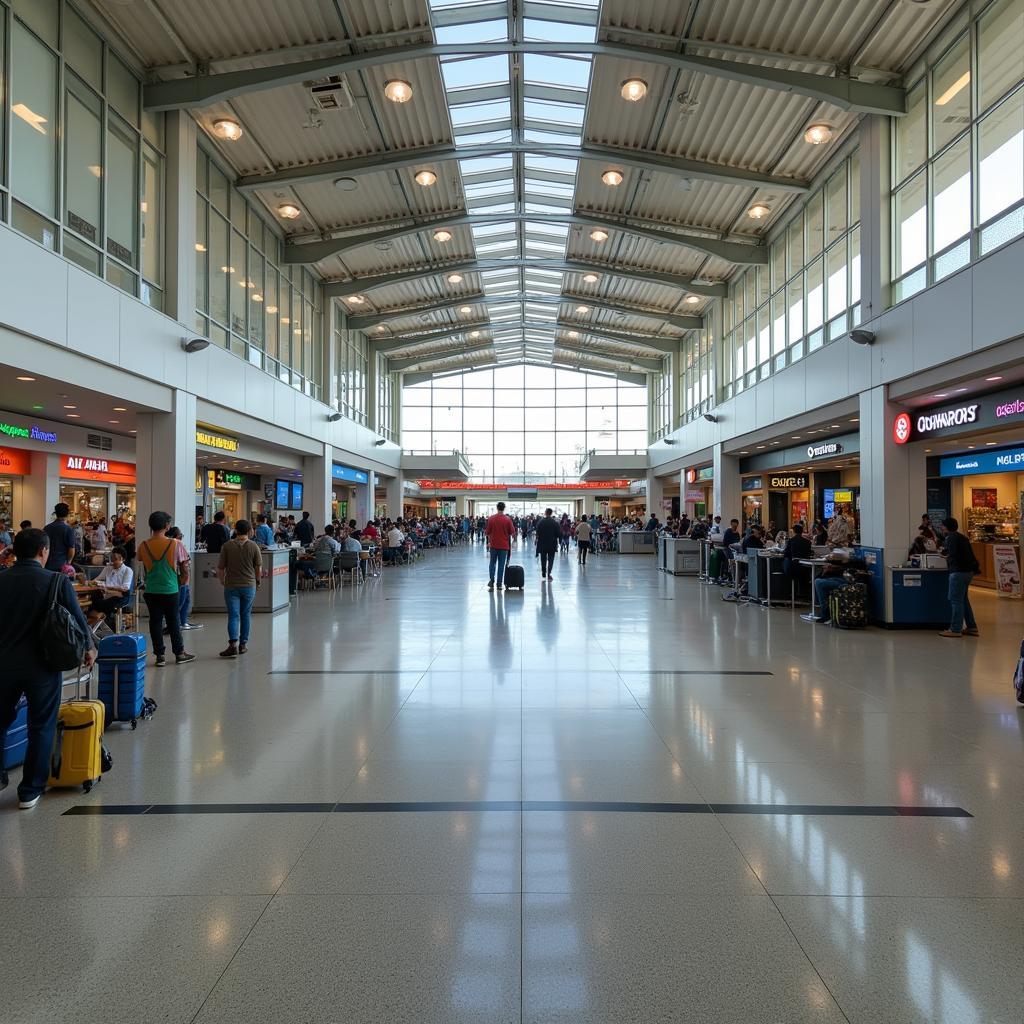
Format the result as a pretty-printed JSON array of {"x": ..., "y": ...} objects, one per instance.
[{"x": 611, "y": 799}]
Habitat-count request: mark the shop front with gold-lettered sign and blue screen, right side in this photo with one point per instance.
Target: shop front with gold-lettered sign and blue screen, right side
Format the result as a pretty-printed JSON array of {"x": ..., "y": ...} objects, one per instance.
[{"x": 803, "y": 484}]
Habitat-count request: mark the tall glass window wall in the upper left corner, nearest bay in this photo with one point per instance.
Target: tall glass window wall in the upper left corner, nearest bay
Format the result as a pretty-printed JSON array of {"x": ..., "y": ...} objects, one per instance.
[{"x": 86, "y": 173}]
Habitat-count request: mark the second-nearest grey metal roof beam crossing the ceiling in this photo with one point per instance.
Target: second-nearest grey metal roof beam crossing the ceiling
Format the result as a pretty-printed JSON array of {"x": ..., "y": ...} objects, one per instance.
[{"x": 642, "y": 159}]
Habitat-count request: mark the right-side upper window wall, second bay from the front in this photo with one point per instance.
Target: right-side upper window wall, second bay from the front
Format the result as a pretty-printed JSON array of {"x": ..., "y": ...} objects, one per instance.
[{"x": 807, "y": 295}]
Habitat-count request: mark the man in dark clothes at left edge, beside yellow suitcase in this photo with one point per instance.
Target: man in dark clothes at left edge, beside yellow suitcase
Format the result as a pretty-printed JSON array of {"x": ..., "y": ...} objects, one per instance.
[{"x": 24, "y": 602}]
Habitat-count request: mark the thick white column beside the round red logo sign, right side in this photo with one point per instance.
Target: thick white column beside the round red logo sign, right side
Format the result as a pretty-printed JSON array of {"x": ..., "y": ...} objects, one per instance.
[{"x": 893, "y": 479}]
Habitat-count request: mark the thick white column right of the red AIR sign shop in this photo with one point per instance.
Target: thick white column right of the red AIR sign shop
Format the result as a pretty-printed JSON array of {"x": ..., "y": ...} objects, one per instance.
[{"x": 165, "y": 457}]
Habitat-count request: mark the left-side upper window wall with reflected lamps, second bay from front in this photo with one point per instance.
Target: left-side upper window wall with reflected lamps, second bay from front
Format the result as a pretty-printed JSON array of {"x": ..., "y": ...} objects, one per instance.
[{"x": 246, "y": 301}]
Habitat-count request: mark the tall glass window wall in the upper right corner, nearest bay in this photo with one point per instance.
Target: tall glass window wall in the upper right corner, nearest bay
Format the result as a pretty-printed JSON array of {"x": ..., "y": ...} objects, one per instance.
[{"x": 958, "y": 167}]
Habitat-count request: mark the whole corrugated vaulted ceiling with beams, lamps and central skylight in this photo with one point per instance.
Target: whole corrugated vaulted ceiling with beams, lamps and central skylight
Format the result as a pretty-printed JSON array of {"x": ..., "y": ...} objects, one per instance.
[{"x": 515, "y": 115}]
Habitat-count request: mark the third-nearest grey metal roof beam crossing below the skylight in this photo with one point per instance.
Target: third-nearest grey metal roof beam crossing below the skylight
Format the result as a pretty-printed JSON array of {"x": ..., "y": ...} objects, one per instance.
[{"x": 735, "y": 252}]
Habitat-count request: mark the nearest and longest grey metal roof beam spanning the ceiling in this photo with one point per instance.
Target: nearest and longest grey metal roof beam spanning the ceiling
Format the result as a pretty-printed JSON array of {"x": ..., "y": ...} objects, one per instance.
[{"x": 848, "y": 95}]
